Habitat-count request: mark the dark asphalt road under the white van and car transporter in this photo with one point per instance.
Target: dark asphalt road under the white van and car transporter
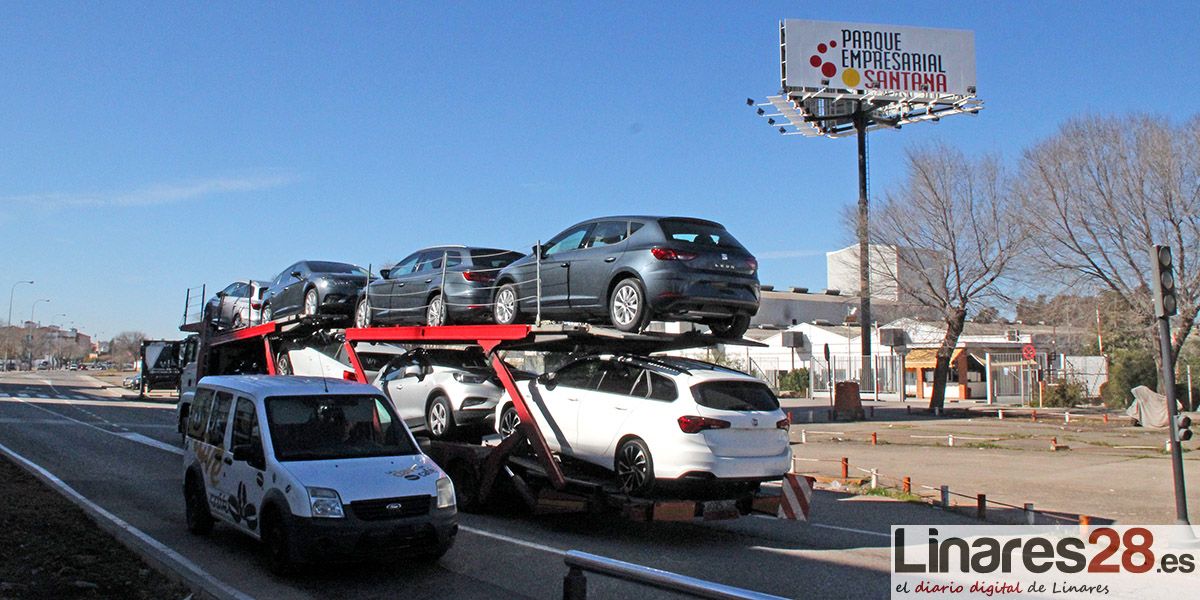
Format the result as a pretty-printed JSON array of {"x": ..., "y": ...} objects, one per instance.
[{"x": 125, "y": 458}]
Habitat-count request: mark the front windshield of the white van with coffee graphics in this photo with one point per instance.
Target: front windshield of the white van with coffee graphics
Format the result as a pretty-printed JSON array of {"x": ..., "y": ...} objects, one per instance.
[{"x": 329, "y": 428}]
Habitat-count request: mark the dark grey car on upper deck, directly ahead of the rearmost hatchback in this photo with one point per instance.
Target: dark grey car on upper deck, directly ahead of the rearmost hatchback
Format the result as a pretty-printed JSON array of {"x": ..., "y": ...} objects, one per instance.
[{"x": 421, "y": 291}]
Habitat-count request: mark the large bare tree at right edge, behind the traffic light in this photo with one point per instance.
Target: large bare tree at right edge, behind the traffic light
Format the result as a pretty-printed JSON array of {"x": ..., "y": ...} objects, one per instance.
[{"x": 1101, "y": 193}]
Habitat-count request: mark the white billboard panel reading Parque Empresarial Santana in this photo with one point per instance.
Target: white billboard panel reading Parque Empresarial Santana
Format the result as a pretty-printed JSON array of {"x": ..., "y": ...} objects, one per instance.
[{"x": 890, "y": 59}]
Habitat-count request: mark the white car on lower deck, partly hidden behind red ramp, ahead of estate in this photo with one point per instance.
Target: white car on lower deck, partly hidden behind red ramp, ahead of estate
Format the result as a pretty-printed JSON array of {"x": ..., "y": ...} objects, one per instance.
[{"x": 443, "y": 391}]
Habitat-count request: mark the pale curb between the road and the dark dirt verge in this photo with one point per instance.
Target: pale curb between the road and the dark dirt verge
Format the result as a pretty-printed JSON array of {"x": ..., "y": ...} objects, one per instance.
[{"x": 159, "y": 556}]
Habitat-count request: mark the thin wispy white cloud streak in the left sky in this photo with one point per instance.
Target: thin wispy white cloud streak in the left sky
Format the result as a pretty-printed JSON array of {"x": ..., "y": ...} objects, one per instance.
[{"x": 157, "y": 194}]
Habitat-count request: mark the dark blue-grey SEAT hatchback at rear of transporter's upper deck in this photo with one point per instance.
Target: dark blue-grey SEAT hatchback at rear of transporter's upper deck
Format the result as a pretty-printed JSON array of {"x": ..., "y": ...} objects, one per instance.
[{"x": 629, "y": 271}]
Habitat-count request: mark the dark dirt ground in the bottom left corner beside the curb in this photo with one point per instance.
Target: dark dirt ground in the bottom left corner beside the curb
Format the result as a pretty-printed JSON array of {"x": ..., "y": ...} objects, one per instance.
[{"x": 50, "y": 549}]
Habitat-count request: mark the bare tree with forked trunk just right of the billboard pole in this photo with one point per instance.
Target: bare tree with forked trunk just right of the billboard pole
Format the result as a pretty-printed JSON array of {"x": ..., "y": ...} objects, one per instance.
[{"x": 951, "y": 235}]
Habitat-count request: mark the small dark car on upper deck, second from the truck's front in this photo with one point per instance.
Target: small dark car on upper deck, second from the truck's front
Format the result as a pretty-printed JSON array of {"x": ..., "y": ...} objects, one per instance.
[{"x": 313, "y": 289}]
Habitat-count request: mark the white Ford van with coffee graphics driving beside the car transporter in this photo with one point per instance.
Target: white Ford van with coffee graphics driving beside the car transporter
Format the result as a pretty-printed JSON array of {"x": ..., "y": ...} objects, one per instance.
[{"x": 334, "y": 473}]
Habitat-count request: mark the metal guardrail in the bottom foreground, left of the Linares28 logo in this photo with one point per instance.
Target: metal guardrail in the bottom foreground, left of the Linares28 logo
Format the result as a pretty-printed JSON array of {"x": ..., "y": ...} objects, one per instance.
[{"x": 575, "y": 585}]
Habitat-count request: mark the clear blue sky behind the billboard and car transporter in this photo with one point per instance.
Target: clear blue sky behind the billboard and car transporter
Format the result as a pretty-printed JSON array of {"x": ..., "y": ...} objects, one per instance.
[{"x": 148, "y": 148}]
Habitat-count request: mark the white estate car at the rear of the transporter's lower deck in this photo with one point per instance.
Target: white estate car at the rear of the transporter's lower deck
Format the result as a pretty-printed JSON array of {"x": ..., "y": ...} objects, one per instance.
[{"x": 659, "y": 419}]
